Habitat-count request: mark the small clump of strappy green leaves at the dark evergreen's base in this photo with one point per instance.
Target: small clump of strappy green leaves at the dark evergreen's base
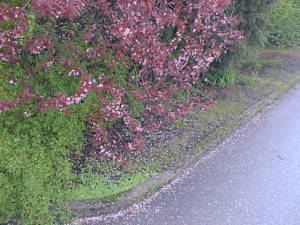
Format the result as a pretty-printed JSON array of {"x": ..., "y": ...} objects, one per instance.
[{"x": 222, "y": 78}]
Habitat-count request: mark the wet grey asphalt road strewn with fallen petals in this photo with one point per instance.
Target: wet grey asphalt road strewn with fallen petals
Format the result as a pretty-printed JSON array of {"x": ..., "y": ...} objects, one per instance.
[{"x": 251, "y": 179}]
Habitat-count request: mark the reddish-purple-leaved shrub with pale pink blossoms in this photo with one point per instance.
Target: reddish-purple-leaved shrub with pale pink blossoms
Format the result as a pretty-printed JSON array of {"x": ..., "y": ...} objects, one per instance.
[{"x": 134, "y": 49}]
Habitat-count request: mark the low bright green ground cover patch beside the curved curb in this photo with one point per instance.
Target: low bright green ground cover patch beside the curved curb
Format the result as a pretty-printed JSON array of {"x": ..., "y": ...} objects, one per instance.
[{"x": 106, "y": 179}]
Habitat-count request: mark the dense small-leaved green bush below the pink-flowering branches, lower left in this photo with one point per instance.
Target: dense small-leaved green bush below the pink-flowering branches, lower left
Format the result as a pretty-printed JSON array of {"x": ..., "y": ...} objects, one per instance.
[{"x": 34, "y": 168}]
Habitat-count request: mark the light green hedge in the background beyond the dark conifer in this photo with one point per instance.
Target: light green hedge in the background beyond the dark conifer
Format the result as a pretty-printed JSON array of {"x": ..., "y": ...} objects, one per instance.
[{"x": 284, "y": 24}]
